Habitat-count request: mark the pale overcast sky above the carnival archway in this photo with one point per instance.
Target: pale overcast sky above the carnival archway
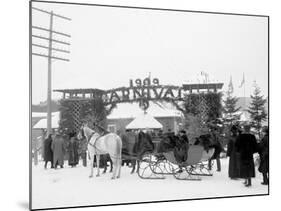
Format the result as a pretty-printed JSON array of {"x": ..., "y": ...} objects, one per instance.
[{"x": 109, "y": 46}]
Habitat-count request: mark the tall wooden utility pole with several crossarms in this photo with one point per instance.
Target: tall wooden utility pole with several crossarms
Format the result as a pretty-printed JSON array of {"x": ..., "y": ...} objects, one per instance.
[{"x": 50, "y": 56}]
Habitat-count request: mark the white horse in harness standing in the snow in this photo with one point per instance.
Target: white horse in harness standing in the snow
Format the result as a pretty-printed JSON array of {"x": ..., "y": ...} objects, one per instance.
[{"x": 98, "y": 145}]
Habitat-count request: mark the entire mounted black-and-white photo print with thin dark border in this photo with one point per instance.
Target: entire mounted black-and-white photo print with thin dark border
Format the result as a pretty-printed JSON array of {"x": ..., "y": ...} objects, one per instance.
[{"x": 138, "y": 105}]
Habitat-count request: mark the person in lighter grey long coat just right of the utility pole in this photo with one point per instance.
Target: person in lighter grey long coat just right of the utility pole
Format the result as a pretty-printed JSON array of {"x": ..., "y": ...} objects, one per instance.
[{"x": 58, "y": 150}]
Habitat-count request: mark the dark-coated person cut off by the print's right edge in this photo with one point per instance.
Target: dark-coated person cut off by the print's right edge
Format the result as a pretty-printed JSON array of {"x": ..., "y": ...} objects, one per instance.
[{"x": 264, "y": 157}]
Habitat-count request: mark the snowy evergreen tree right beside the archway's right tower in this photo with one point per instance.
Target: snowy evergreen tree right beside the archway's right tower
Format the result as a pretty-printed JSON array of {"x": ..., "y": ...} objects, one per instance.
[{"x": 229, "y": 108}]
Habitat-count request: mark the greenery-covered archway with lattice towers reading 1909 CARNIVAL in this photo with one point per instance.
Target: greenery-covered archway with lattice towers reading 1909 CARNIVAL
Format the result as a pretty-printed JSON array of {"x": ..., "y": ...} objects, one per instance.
[{"x": 201, "y": 100}]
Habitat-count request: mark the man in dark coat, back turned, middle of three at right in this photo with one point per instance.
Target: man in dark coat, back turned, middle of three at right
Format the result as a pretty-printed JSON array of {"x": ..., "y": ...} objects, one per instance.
[{"x": 246, "y": 145}]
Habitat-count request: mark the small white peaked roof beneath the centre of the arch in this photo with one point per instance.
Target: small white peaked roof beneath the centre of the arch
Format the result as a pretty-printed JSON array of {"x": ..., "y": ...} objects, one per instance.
[{"x": 144, "y": 121}]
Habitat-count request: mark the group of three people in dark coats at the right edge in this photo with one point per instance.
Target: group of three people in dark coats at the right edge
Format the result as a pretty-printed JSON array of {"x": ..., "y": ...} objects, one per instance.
[{"x": 241, "y": 148}]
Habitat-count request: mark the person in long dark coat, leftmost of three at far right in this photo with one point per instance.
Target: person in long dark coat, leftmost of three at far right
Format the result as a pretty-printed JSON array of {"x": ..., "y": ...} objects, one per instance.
[{"x": 233, "y": 167}]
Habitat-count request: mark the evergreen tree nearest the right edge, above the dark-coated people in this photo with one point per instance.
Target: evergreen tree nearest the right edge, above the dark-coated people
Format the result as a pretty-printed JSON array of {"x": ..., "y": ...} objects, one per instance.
[{"x": 257, "y": 109}]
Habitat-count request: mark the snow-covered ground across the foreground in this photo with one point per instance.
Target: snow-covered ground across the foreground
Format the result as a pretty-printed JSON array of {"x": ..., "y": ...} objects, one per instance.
[{"x": 72, "y": 187}]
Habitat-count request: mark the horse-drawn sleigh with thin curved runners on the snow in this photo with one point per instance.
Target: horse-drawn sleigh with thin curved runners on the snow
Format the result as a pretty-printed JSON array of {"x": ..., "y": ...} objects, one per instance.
[{"x": 158, "y": 165}]
